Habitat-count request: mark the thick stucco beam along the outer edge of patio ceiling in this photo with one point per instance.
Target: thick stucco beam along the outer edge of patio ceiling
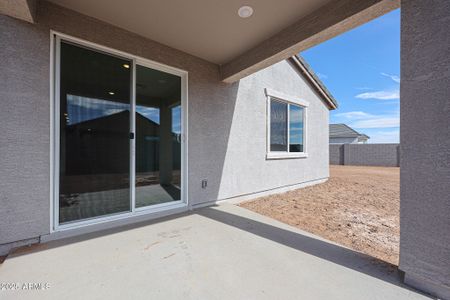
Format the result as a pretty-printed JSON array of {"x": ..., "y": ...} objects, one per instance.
[{"x": 326, "y": 22}]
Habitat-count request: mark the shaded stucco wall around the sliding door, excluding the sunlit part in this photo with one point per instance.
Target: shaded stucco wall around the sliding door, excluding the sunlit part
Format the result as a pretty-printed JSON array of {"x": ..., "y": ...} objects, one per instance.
[{"x": 25, "y": 111}]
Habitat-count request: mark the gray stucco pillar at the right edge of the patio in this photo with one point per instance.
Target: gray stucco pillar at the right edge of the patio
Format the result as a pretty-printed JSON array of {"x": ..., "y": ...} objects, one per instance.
[{"x": 425, "y": 145}]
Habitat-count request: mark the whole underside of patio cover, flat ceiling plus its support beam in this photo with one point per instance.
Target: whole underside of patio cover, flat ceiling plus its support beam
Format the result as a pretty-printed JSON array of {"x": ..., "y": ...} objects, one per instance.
[{"x": 213, "y": 31}]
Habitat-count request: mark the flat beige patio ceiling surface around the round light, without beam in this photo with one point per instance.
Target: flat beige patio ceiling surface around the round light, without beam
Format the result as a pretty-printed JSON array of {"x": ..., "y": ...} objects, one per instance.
[{"x": 211, "y": 30}]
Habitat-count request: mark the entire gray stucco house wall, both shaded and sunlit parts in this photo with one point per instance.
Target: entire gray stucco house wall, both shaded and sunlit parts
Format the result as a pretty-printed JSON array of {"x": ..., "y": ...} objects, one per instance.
[{"x": 226, "y": 121}]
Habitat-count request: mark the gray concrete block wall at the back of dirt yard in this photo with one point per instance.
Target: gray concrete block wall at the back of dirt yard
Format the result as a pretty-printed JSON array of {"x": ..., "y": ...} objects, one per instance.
[{"x": 386, "y": 155}]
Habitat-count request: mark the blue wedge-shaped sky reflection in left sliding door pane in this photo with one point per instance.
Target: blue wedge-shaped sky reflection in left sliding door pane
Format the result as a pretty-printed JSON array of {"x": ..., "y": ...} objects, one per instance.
[{"x": 80, "y": 109}]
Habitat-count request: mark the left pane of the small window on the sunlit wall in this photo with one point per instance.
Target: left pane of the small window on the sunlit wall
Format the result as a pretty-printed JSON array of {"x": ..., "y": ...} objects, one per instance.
[{"x": 278, "y": 126}]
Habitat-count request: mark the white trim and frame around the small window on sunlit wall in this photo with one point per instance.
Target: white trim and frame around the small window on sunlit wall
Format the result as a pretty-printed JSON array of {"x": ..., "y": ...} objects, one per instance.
[{"x": 272, "y": 94}]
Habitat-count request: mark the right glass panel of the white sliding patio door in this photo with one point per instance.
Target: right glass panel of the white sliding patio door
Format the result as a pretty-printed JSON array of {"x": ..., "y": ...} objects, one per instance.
[{"x": 158, "y": 137}]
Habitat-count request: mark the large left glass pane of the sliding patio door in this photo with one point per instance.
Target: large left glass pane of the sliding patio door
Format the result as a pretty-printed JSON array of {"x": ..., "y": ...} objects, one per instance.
[{"x": 94, "y": 134}]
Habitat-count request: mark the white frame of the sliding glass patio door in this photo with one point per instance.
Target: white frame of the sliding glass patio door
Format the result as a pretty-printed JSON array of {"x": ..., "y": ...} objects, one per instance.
[{"x": 55, "y": 39}]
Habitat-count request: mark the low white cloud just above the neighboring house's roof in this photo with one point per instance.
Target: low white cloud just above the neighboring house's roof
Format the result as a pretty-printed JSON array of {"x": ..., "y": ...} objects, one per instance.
[{"x": 361, "y": 120}]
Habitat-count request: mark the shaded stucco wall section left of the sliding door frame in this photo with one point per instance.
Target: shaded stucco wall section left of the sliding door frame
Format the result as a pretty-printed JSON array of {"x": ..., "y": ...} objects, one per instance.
[{"x": 25, "y": 127}]
